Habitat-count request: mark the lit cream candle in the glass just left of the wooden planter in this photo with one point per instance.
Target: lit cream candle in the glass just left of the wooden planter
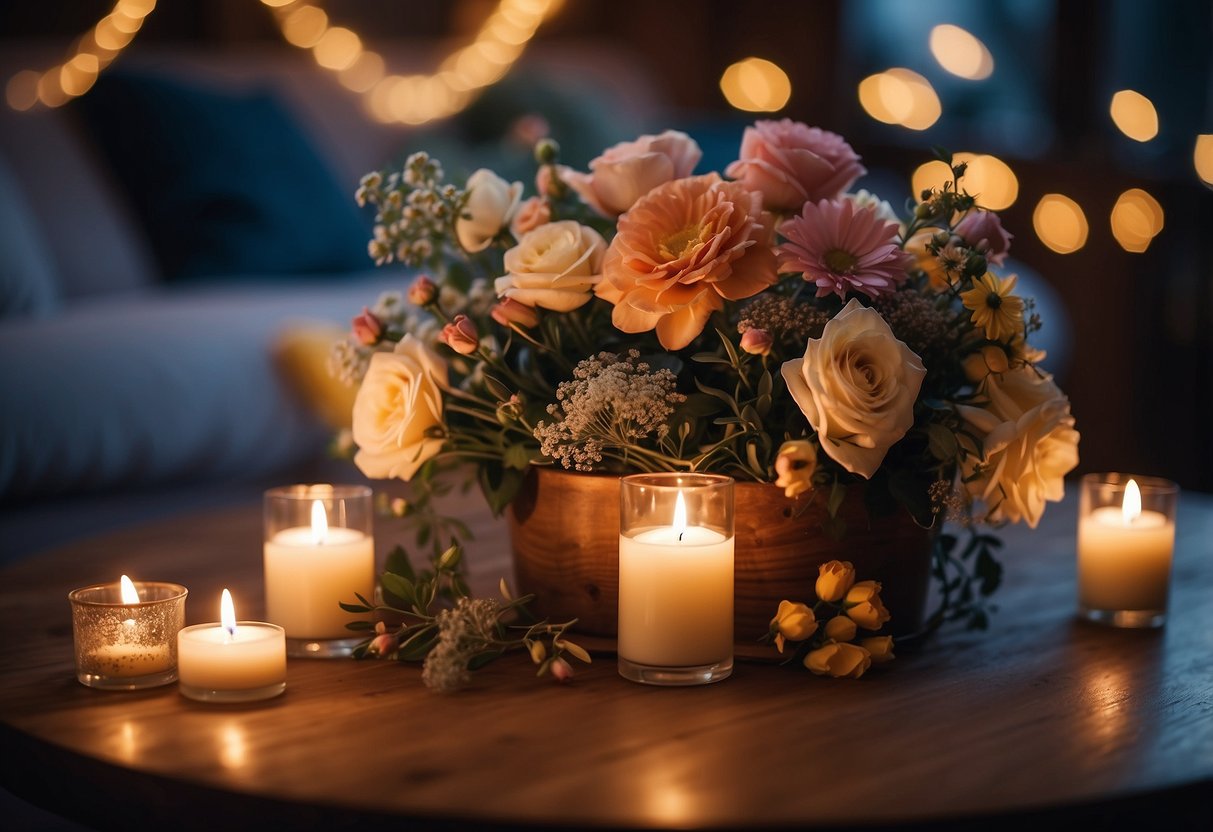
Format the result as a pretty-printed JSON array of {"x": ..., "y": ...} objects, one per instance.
[{"x": 311, "y": 569}]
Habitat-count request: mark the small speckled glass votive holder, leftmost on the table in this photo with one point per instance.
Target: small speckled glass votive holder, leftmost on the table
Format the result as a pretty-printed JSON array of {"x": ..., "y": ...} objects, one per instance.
[{"x": 128, "y": 647}]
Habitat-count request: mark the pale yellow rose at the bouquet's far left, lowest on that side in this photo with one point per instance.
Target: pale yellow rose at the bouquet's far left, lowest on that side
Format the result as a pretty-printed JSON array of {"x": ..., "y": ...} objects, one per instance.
[{"x": 397, "y": 406}]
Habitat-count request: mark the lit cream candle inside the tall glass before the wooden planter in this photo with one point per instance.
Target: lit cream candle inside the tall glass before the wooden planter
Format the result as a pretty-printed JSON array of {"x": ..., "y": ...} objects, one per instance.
[{"x": 675, "y": 597}]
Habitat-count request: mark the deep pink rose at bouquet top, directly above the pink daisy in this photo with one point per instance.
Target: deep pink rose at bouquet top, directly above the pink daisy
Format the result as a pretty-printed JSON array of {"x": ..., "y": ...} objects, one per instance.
[{"x": 793, "y": 164}]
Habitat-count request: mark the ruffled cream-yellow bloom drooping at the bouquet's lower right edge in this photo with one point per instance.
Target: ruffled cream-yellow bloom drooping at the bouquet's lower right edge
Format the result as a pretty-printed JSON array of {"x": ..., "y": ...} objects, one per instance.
[{"x": 1029, "y": 445}]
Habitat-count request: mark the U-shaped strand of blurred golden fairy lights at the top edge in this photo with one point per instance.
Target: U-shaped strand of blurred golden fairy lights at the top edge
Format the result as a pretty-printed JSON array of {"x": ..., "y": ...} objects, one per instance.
[{"x": 417, "y": 99}]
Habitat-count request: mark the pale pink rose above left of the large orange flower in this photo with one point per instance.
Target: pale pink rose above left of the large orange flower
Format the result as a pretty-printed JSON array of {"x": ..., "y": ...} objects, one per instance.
[{"x": 630, "y": 170}]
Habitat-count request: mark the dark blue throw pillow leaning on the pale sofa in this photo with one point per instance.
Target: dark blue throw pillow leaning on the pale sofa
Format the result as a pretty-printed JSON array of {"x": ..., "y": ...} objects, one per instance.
[{"x": 225, "y": 183}]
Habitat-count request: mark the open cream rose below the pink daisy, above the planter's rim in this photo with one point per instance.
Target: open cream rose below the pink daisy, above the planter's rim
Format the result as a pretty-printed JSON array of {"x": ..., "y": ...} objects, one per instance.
[{"x": 857, "y": 386}]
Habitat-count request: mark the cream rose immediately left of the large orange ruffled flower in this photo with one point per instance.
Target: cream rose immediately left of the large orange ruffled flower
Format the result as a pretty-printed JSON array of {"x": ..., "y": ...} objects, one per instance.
[{"x": 555, "y": 267}]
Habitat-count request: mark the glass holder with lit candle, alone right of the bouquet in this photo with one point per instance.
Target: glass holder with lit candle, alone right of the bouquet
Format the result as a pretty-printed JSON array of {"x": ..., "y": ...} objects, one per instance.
[{"x": 1126, "y": 542}]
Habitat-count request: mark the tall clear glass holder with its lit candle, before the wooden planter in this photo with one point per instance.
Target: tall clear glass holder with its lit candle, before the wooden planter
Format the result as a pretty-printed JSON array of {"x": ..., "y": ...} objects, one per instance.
[{"x": 676, "y": 579}]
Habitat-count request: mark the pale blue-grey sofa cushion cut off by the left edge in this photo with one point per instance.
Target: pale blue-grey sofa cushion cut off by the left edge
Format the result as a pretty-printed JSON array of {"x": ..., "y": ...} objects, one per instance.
[{"x": 29, "y": 287}]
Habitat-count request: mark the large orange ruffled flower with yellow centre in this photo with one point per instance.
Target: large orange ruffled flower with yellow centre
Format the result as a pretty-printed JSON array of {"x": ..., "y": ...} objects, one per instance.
[{"x": 681, "y": 252}]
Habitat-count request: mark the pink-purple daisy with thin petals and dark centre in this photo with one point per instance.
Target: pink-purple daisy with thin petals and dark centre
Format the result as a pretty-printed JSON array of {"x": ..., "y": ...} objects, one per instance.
[{"x": 844, "y": 249}]
